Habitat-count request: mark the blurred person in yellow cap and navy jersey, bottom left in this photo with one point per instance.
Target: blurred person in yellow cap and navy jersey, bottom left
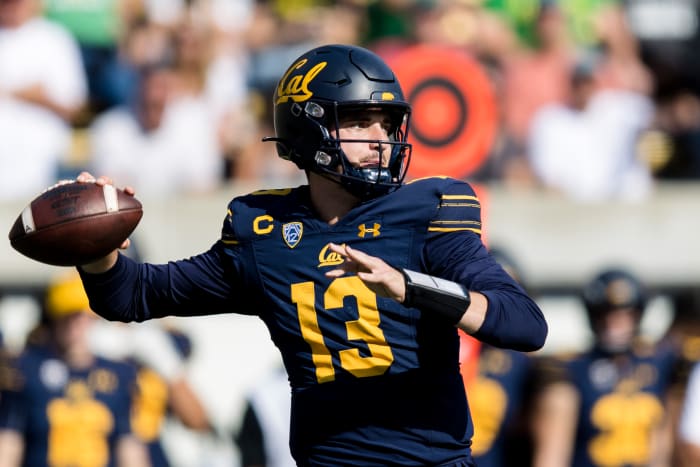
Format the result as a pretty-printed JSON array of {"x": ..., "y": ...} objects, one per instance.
[{"x": 64, "y": 405}]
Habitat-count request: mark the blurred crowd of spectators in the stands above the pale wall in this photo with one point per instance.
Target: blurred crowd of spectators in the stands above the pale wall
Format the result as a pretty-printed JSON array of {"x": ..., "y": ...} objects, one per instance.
[{"x": 596, "y": 99}]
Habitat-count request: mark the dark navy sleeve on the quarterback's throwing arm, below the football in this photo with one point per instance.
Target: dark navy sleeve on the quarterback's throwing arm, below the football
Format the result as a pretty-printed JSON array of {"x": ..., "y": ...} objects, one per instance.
[{"x": 131, "y": 291}]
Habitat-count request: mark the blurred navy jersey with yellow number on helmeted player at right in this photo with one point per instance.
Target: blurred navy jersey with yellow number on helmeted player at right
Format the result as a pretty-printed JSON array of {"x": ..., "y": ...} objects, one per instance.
[{"x": 621, "y": 404}]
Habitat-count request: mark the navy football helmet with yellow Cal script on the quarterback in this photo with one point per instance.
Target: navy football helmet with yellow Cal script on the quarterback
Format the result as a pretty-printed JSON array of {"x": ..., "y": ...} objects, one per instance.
[{"x": 319, "y": 86}]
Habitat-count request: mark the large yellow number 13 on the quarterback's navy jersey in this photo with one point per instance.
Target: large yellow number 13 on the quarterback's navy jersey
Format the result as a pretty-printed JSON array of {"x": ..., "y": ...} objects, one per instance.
[{"x": 365, "y": 328}]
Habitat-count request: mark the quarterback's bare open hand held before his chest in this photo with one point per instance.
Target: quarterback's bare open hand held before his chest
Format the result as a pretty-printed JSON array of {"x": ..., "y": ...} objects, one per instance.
[{"x": 377, "y": 275}]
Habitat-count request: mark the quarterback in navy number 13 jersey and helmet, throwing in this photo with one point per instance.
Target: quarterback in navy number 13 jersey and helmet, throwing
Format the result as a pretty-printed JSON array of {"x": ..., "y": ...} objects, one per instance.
[{"x": 361, "y": 279}]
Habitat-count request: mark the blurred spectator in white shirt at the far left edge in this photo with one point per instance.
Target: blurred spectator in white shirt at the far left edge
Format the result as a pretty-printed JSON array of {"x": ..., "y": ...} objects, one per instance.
[{"x": 42, "y": 90}]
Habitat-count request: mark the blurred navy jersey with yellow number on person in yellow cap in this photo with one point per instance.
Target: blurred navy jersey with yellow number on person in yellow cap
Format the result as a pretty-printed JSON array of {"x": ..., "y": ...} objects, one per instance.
[{"x": 67, "y": 416}]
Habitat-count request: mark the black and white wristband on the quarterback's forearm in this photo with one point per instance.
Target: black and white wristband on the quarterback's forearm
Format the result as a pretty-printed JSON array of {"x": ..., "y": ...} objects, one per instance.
[{"x": 435, "y": 295}]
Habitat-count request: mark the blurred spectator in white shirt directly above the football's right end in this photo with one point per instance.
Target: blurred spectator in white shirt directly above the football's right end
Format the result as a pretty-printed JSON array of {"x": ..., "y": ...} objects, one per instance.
[{"x": 163, "y": 144}]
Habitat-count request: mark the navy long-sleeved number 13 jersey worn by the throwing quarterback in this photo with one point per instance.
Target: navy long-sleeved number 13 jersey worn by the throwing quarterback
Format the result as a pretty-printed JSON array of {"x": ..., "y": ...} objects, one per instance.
[{"x": 373, "y": 382}]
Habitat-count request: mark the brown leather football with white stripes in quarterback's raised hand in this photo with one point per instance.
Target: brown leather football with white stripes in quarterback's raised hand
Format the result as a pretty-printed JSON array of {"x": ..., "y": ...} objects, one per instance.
[{"x": 75, "y": 223}]
